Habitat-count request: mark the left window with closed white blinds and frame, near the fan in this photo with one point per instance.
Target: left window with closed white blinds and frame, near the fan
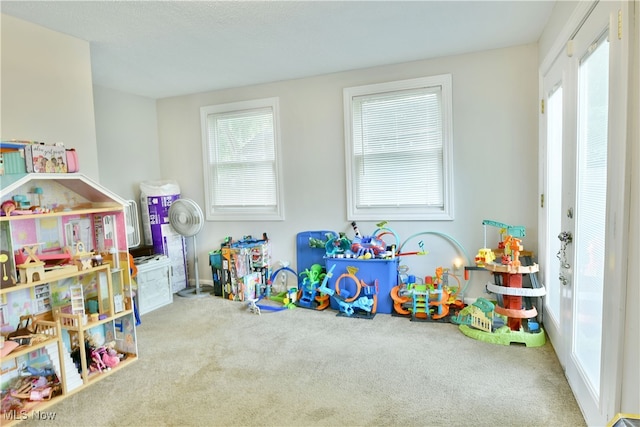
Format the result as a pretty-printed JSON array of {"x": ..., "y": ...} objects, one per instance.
[{"x": 241, "y": 144}]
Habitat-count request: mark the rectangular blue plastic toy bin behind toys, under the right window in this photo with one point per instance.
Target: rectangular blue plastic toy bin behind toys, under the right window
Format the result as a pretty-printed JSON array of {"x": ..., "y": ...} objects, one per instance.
[{"x": 384, "y": 270}]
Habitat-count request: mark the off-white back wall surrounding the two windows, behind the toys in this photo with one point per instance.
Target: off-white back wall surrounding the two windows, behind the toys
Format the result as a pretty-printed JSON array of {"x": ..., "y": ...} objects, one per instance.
[{"x": 495, "y": 152}]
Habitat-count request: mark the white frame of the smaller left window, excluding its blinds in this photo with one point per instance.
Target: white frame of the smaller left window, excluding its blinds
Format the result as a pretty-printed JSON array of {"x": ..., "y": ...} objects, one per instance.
[{"x": 240, "y": 213}]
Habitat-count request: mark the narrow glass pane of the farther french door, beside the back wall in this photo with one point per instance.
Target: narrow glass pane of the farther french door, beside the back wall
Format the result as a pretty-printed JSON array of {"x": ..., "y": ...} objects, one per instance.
[{"x": 554, "y": 202}]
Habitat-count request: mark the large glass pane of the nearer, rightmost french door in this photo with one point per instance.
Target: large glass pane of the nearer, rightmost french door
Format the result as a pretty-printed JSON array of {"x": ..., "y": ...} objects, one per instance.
[{"x": 593, "y": 108}]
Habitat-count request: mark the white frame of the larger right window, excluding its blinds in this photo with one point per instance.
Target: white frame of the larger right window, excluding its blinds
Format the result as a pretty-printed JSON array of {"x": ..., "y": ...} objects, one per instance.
[{"x": 399, "y": 212}]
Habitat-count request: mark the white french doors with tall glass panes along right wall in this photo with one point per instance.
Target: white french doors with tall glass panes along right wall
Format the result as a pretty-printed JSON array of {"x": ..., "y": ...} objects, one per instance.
[{"x": 581, "y": 149}]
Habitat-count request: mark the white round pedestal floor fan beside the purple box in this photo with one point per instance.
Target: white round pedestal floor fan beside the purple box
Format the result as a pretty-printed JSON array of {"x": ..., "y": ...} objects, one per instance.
[{"x": 186, "y": 218}]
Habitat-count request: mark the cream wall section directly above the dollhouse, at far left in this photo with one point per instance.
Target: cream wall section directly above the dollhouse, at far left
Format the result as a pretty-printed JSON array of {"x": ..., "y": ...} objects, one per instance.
[{"x": 46, "y": 90}]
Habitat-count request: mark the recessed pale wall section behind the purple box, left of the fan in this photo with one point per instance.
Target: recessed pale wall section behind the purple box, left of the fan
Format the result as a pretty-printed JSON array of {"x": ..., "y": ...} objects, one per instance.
[{"x": 127, "y": 135}]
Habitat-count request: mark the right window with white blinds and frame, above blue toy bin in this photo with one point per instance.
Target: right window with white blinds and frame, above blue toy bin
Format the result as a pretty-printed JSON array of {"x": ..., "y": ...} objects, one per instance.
[{"x": 399, "y": 150}]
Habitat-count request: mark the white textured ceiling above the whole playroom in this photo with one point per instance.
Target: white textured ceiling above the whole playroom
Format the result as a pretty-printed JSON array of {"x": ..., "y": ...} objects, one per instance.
[{"x": 162, "y": 49}]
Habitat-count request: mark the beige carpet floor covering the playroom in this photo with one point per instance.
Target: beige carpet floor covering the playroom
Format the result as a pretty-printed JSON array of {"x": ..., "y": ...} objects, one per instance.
[{"x": 209, "y": 362}]
